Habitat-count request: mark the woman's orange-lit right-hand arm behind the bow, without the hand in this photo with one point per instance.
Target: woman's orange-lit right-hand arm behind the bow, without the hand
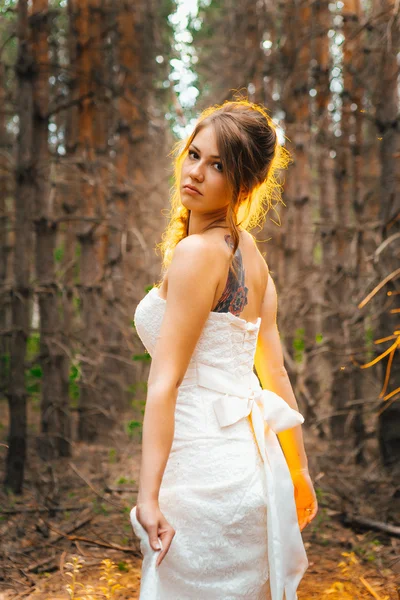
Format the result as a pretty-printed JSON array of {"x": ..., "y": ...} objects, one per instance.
[{"x": 273, "y": 376}]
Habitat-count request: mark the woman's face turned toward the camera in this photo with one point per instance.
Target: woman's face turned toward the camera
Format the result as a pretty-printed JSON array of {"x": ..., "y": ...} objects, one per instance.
[{"x": 202, "y": 169}]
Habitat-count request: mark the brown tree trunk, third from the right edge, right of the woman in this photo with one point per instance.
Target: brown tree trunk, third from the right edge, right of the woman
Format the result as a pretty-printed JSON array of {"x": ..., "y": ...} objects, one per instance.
[{"x": 318, "y": 367}]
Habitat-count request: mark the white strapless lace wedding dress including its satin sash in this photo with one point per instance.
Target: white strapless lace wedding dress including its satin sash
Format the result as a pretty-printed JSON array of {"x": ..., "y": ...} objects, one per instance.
[{"x": 226, "y": 489}]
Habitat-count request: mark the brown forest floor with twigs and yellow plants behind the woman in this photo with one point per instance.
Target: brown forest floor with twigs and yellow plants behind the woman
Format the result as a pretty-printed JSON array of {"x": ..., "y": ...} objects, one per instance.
[{"x": 74, "y": 515}]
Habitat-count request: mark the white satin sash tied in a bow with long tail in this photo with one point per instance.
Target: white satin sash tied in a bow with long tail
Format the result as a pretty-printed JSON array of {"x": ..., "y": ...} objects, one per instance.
[{"x": 269, "y": 414}]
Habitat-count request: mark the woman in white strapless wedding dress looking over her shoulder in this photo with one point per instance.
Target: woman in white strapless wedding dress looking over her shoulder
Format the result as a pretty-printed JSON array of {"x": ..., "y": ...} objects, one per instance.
[{"x": 221, "y": 502}]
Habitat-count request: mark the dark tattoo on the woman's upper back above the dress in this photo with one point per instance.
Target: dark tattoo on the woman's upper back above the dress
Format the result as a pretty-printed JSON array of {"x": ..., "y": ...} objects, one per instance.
[{"x": 234, "y": 296}]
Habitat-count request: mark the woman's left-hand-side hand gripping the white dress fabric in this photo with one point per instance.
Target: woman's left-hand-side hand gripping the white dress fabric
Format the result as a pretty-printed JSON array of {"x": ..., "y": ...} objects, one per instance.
[{"x": 156, "y": 525}]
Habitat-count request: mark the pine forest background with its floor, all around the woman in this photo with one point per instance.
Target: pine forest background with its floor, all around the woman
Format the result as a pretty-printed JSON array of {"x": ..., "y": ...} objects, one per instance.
[{"x": 93, "y": 96}]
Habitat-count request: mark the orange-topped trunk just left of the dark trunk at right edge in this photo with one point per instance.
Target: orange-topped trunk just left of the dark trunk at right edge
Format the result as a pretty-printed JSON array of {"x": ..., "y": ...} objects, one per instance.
[{"x": 339, "y": 293}]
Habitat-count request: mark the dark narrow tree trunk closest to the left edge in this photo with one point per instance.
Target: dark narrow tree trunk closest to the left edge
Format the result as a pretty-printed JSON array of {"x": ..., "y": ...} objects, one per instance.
[{"x": 21, "y": 294}]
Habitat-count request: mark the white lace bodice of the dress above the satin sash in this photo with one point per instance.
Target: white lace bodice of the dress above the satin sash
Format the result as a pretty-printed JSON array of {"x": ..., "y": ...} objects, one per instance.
[{"x": 227, "y": 342}]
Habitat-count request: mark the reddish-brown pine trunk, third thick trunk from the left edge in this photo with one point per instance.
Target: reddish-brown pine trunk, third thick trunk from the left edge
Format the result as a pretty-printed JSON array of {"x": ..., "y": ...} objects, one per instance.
[{"x": 95, "y": 411}]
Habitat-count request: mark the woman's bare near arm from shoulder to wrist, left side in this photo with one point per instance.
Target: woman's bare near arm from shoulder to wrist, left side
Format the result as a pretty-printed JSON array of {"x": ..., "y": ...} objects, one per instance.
[{"x": 193, "y": 277}]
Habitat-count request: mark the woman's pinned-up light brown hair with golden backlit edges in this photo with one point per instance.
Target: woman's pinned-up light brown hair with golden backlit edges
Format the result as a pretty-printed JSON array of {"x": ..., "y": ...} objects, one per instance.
[{"x": 251, "y": 158}]
